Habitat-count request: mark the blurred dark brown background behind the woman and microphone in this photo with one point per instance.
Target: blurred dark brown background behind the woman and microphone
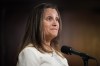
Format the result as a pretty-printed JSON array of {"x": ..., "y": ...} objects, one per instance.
[{"x": 81, "y": 28}]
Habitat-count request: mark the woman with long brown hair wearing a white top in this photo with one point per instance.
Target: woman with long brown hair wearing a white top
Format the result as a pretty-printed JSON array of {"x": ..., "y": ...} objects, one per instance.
[{"x": 40, "y": 46}]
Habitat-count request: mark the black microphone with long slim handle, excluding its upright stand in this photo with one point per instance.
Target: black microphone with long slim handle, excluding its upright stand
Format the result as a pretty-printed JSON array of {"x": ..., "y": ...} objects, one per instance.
[{"x": 69, "y": 50}]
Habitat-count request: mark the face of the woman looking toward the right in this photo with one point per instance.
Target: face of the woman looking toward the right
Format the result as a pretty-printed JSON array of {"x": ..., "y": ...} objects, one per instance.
[{"x": 50, "y": 23}]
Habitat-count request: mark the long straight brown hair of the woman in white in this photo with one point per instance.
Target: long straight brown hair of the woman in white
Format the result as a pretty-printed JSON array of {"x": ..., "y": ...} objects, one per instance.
[{"x": 34, "y": 30}]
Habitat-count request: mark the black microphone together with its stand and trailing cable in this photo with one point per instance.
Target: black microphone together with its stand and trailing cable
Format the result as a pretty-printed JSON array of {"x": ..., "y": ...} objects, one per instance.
[{"x": 85, "y": 57}]
